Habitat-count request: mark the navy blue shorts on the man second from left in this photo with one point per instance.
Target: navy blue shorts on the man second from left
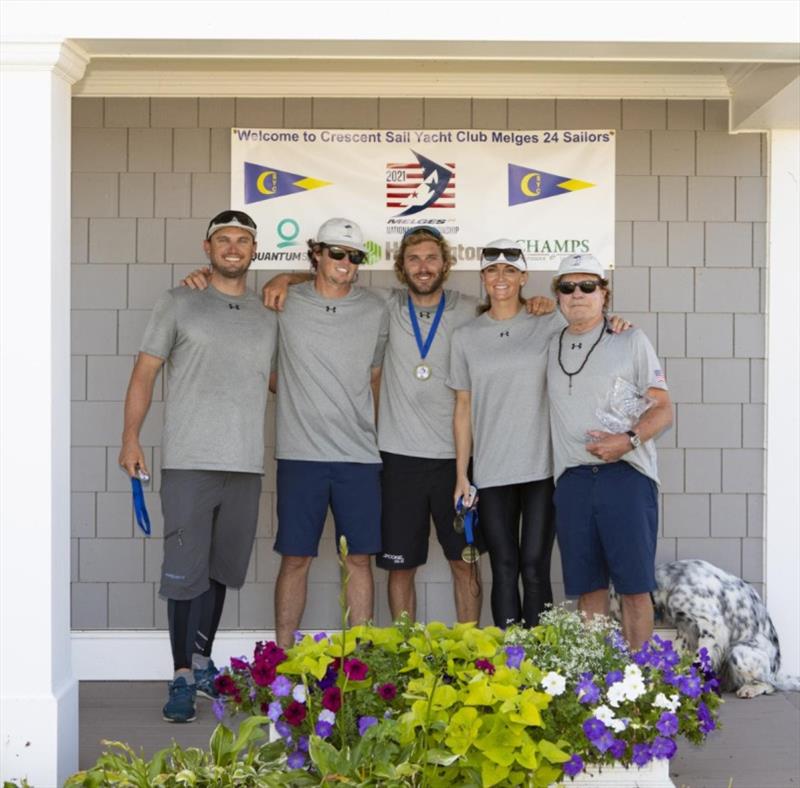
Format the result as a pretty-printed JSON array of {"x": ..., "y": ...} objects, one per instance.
[{"x": 306, "y": 489}]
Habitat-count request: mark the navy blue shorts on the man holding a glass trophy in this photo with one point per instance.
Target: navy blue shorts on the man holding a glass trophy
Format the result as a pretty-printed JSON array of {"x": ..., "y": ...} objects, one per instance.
[{"x": 607, "y": 525}]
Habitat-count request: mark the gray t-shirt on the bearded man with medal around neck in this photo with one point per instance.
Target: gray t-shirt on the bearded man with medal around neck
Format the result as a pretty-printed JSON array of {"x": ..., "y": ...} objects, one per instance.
[{"x": 416, "y": 416}]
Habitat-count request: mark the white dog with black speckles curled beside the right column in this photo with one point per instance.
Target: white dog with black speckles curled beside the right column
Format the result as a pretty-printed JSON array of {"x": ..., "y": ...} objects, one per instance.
[{"x": 718, "y": 611}]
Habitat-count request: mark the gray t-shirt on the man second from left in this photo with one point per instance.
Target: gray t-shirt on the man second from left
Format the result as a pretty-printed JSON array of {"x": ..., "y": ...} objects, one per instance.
[{"x": 326, "y": 350}]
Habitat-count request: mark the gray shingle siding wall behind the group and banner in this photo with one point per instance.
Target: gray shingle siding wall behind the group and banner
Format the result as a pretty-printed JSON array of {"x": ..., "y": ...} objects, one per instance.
[{"x": 148, "y": 173}]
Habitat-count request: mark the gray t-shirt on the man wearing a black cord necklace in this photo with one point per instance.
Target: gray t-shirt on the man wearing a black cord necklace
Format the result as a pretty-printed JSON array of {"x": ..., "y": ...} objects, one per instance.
[{"x": 628, "y": 355}]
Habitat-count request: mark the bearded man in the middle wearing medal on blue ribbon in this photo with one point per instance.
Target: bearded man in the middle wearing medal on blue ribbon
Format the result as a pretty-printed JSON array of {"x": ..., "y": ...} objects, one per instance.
[{"x": 416, "y": 414}]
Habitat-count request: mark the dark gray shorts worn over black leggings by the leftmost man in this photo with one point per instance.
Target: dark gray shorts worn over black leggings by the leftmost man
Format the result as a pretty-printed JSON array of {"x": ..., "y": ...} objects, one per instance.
[{"x": 210, "y": 520}]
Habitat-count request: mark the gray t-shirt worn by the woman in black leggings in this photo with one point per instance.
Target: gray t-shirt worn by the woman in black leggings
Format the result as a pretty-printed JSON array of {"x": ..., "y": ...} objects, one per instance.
[{"x": 503, "y": 364}]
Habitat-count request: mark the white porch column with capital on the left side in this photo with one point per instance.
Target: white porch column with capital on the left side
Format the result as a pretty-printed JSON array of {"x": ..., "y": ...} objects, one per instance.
[{"x": 38, "y": 694}]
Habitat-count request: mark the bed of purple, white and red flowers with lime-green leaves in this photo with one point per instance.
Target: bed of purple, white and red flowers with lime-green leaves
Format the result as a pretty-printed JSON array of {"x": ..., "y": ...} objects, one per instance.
[{"x": 468, "y": 706}]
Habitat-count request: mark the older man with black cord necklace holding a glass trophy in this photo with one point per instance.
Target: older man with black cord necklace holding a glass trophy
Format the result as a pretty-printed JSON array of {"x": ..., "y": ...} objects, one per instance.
[{"x": 606, "y": 484}]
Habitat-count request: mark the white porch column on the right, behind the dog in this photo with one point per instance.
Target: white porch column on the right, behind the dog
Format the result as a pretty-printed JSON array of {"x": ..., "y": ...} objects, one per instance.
[{"x": 782, "y": 532}]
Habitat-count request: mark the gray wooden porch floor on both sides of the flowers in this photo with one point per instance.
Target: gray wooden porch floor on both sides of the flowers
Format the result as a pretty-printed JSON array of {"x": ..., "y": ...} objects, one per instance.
[{"x": 759, "y": 746}]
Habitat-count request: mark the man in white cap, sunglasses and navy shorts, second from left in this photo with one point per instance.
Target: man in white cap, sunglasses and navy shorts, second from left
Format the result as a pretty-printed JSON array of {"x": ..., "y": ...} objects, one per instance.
[{"x": 330, "y": 350}]
